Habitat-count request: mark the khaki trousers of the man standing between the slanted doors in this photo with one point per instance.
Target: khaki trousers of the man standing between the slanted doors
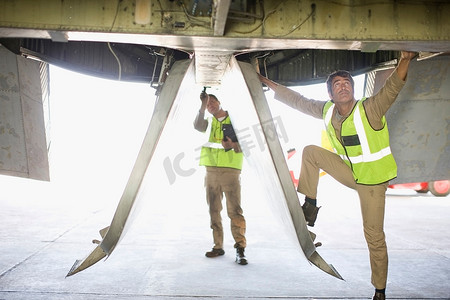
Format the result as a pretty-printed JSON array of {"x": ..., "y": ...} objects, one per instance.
[{"x": 226, "y": 181}]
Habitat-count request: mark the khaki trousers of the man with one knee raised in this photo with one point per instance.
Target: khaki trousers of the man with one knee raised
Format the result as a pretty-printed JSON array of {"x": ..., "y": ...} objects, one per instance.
[{"x": 372, "y": 199}]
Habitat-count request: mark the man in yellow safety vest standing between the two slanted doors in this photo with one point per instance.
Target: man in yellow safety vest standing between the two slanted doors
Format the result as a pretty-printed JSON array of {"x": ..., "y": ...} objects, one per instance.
[{"x": 223, "y": 161}]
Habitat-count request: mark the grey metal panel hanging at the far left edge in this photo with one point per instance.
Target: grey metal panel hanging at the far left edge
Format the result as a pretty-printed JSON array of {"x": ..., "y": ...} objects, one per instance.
[{"x": 24, "y": 117}]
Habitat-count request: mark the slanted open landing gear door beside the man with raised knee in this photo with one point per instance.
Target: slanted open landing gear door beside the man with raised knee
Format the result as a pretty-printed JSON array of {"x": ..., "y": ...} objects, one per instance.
[{"x": 257, "y": 133}]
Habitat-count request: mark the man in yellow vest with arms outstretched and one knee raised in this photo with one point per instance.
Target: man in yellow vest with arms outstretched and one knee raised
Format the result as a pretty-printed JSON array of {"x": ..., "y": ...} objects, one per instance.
[{"x": 363, "y": 160}]
